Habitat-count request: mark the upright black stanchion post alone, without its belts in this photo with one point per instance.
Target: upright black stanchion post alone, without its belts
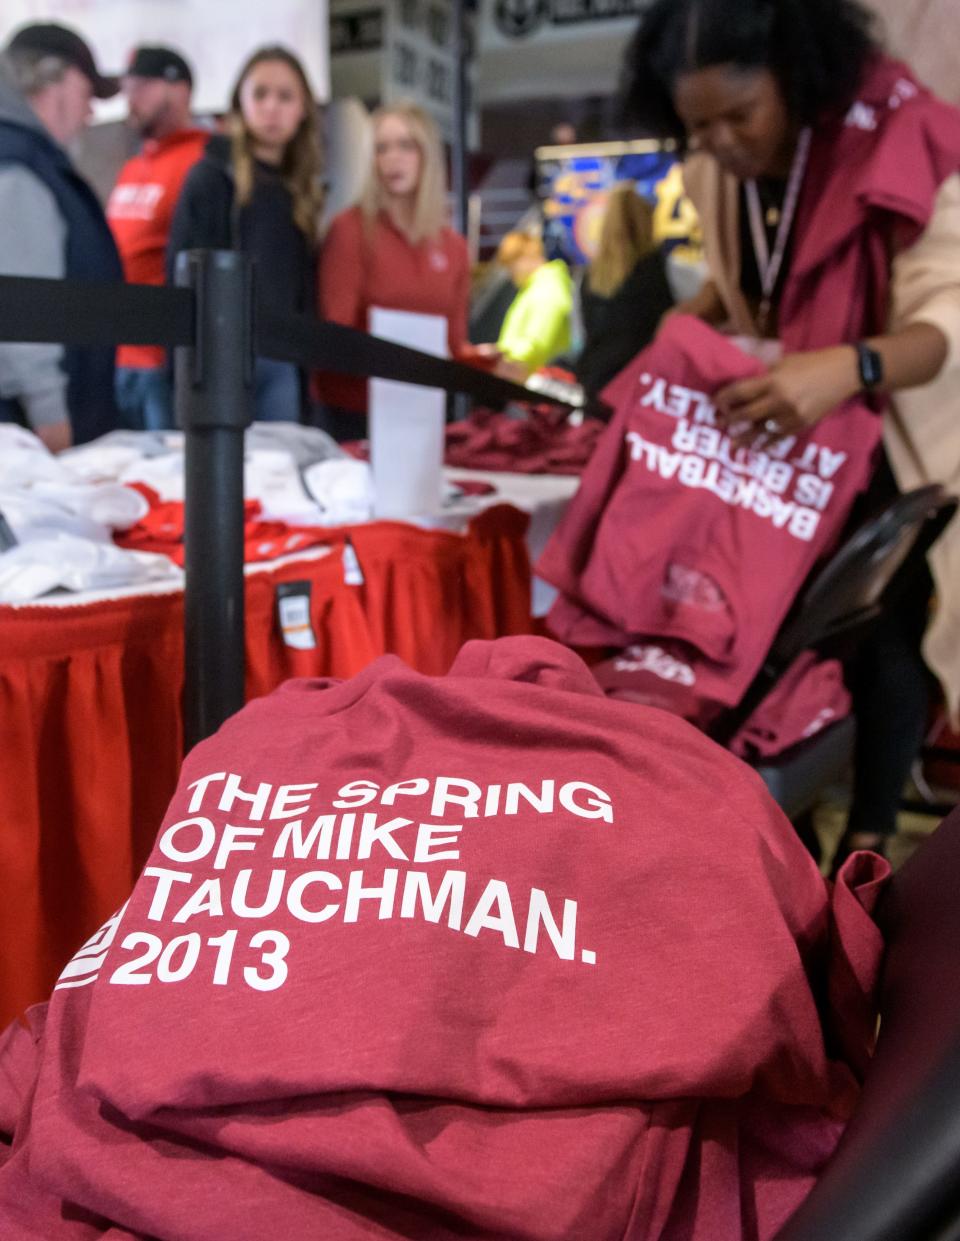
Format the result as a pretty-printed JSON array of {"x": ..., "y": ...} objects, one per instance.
[{"x": 215, "y": 406}]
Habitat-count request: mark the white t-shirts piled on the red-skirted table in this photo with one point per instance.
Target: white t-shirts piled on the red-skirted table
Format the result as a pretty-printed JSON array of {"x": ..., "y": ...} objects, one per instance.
[{"x": 61, "y": 512}]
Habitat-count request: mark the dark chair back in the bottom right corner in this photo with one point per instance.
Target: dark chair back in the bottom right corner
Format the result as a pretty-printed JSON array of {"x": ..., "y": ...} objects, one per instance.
[{"x": 896, "y": 1176}]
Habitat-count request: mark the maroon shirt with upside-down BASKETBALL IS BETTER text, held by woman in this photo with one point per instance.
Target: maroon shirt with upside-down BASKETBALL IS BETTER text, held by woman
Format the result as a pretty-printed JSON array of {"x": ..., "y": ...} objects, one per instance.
[{"x": 678, "y": 535}]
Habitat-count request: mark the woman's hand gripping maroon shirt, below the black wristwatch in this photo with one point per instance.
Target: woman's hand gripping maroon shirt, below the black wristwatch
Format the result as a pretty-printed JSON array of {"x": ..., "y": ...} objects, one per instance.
[{"x": 793, "y": 396}]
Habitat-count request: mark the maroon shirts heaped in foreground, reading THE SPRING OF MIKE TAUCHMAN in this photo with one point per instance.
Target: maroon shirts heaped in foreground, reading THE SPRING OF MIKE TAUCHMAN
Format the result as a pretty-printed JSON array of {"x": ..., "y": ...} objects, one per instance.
[{"x": 479, "y": 956}]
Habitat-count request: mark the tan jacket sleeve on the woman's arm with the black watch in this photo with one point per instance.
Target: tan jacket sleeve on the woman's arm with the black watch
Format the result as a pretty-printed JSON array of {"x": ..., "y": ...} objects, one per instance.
[{"x": 926, "y": 285}]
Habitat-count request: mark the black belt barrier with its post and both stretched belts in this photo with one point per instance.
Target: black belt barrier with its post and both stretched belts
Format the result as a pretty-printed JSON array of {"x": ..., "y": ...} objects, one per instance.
[{"x": 210, "y": 325}]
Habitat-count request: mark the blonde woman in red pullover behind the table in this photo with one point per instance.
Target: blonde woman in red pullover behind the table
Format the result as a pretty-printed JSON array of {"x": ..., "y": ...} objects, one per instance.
[{"x": 395, "y": 250}]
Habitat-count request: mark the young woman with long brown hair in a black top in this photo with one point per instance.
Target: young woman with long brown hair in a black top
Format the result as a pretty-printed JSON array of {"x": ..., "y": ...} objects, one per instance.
[{"x": 257, "y": 189}]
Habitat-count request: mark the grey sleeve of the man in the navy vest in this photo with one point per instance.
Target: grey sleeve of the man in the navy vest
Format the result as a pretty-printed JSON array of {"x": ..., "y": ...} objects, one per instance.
[{"x": 33, "y": 243}]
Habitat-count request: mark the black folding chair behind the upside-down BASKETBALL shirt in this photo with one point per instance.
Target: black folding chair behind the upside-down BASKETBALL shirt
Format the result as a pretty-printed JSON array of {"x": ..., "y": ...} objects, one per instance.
[{"x": 834, "y": 611}]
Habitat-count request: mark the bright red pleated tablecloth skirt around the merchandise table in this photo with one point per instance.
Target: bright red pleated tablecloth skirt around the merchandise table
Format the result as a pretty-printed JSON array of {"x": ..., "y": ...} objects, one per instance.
[{"x": 91, "y": 722}]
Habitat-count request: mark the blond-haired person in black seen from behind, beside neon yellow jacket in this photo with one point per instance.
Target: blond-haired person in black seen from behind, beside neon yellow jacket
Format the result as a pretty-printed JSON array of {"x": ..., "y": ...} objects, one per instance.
[{"x": 626, "y": 291}]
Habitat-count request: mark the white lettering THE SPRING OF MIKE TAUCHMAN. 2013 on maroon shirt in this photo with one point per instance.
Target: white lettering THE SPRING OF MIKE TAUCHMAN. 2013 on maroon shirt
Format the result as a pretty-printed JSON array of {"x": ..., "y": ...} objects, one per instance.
[{"x": 374, "y": 866}]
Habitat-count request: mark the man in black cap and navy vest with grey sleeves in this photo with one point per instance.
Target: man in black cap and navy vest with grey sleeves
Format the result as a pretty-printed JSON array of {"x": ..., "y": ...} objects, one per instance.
[{"x": 51, "y": 225}]
